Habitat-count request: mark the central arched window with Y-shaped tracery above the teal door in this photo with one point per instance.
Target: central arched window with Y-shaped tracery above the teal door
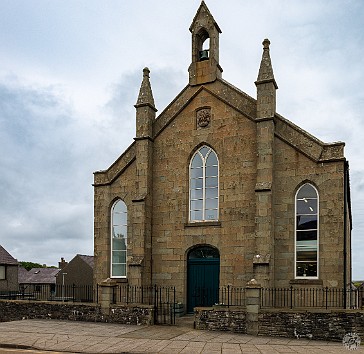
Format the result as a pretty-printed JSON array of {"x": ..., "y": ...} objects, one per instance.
[{"x": 204, "y": 185}]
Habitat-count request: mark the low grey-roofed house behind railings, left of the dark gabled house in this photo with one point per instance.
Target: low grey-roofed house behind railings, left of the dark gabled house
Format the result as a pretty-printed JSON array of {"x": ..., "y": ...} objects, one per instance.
[{"x": 38, "y": 283}]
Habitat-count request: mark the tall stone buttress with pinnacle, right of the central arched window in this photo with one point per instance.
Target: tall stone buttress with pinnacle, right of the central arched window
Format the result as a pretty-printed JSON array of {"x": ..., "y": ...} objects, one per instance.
[{"x": 264, "y": 221}]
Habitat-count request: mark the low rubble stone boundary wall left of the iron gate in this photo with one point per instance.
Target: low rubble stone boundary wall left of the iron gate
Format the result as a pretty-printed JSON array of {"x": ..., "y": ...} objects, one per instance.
[{"x": 13, "y": 310}]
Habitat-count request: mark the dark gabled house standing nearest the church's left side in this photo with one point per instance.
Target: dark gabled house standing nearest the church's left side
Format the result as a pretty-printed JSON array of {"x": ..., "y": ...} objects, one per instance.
[{"x": 77, "y": 277}]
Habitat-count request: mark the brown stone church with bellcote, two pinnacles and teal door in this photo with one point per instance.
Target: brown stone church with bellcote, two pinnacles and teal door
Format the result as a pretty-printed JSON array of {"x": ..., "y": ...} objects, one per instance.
[{"x": 219, "y": 189}]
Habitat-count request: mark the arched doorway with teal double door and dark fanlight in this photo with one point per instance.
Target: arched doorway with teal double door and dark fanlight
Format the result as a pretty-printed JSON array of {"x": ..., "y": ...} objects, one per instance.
[{"x": 203, "y": 270}]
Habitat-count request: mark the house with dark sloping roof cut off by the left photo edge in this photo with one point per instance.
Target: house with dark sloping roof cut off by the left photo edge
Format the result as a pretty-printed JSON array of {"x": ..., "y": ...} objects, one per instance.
[{"x": 8, "y": 272}]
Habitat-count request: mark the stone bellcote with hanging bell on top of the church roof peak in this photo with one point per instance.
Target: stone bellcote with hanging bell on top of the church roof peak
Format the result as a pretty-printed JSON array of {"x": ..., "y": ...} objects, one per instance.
[{"x": 205, "y": 31}]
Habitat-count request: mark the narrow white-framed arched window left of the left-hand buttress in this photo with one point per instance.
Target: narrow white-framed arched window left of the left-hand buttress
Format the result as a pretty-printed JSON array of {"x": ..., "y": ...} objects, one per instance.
[{"x": 119, "y": 231}]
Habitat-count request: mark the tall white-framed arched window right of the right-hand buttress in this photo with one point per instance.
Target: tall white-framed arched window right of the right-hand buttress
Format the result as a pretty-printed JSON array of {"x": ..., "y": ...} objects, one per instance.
[{"x": 307, "y": 226}]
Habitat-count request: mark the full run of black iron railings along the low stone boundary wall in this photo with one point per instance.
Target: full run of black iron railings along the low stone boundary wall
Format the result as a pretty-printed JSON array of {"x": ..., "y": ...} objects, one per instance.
[{"x": 164, "y": 298}]
